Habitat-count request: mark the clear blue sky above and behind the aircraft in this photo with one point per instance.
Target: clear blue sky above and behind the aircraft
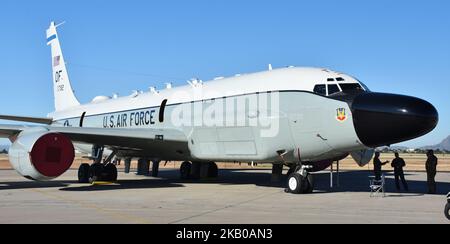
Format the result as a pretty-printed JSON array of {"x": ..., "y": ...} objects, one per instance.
[{"x": 118, "y": 46}]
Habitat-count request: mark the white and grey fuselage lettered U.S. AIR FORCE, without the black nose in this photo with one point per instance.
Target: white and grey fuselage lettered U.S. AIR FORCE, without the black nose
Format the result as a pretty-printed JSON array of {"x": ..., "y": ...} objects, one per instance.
[{"x": 289, "y": 121}]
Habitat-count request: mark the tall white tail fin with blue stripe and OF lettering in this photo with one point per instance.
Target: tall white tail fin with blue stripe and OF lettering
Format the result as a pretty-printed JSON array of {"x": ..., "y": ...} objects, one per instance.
[{"x": 64, "y": 96}]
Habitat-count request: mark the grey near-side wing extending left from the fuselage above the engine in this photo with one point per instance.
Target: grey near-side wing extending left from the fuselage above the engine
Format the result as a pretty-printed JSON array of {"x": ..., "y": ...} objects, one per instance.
[{"x": 160, "y": 142}]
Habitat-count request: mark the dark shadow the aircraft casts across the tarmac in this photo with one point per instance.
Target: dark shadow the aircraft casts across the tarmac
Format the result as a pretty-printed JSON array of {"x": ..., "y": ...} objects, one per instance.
[{"x": 350, "y": 181}]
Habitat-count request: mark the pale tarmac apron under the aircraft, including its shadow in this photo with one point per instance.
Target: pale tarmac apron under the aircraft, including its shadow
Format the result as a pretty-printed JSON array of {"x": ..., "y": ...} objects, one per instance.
[{"x": 236, "y": 197}]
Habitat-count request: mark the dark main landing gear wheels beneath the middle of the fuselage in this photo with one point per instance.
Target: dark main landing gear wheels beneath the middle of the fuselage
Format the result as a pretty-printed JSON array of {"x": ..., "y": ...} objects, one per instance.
[{"x": 198, "y": 170}]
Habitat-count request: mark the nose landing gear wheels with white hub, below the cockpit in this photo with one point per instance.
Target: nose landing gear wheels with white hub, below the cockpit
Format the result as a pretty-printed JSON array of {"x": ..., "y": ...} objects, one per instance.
[{"x": 300, "y": 181}]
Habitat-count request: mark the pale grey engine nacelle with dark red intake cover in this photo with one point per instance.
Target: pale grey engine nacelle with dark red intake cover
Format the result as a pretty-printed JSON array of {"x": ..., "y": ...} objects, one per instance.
[{"x": 40, "y": 155}]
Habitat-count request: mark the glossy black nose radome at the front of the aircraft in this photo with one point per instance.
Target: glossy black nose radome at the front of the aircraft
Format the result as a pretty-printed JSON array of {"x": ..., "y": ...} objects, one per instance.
[{"x": 385, "y": 119}]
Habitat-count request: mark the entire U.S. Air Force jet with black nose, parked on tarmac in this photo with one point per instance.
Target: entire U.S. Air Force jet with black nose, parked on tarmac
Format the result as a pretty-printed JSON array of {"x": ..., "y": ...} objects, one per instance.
[{"x": 300, "y": 117}]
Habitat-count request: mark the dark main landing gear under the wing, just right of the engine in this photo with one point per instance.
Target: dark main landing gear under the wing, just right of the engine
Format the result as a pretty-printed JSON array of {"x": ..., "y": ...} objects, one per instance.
[{"x": 98, "y": 171}]
